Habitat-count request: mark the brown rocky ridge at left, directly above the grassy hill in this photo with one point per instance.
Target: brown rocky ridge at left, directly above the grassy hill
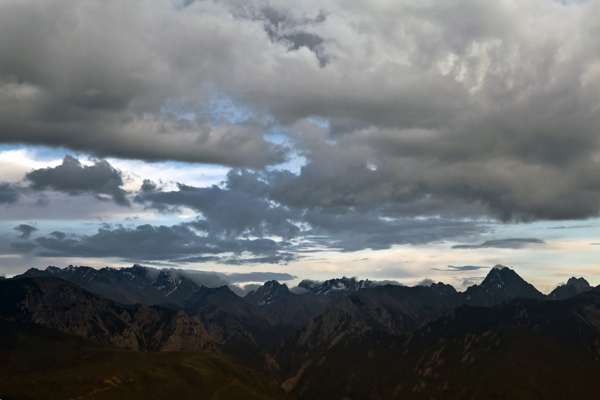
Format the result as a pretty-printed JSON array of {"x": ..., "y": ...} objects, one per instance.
[{"x": 61, "y": 305}]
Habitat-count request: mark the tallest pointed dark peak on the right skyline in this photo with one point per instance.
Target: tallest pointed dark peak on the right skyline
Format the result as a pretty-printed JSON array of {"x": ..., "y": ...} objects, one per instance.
[{"x": 501, "y": 284}]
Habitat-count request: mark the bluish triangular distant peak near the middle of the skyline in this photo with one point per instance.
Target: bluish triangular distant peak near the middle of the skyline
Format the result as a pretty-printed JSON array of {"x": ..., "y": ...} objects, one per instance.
[{"x": 287, "y": 311}]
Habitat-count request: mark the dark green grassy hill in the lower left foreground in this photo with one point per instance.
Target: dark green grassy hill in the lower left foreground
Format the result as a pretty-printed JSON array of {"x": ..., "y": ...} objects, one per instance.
[{"x": 42, "y": 363}]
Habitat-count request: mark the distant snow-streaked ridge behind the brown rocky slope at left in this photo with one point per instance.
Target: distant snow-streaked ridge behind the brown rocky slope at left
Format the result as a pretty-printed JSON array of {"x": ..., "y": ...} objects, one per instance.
[{"x": 135, "y": 285}]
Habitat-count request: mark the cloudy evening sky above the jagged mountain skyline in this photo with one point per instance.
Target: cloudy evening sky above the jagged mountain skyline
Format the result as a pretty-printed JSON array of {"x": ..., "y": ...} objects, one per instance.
[{"x": 389, "y": 140}]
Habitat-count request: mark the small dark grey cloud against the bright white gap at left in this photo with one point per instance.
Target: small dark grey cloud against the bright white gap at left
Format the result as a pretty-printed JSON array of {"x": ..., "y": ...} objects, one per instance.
[{"x": 73, "y": 178}]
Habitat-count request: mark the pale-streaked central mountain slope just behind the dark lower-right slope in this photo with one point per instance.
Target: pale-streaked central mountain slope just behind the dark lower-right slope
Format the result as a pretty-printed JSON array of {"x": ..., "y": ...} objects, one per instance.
[{"x": 392, "y": 309}]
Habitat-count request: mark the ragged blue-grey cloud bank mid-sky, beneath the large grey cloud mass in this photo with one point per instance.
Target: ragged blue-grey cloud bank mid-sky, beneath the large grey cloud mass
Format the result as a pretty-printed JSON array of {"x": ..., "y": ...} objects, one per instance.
[{"x": 256, "y": 205}]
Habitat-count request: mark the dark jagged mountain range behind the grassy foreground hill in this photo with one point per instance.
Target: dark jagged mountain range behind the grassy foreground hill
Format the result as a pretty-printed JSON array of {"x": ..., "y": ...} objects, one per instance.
[{"x": 338, "y": 338}]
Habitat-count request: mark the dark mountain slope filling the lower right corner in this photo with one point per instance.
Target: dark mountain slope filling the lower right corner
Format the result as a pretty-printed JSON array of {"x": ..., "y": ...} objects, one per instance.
[{"x": 523, "y": 348}]
